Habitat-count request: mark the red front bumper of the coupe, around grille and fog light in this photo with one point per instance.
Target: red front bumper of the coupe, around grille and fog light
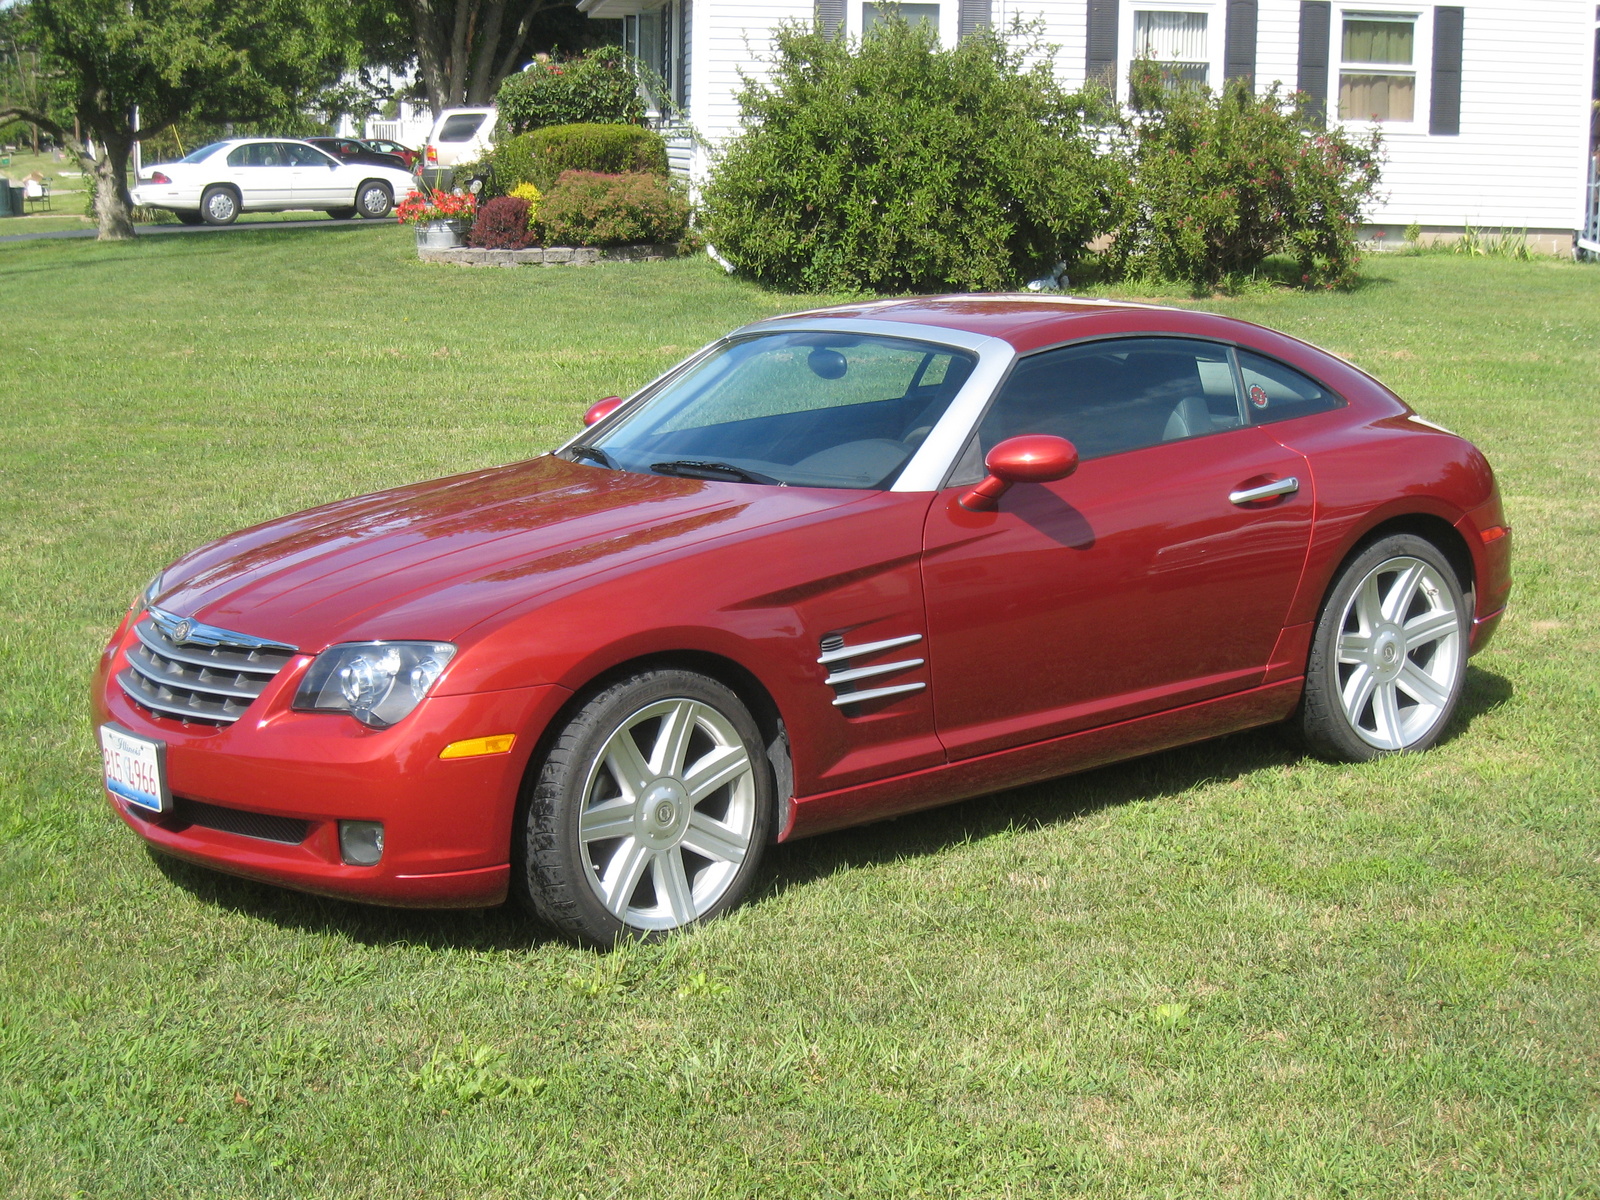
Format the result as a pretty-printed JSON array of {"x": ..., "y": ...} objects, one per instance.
[{"x": 447, "y": 823}]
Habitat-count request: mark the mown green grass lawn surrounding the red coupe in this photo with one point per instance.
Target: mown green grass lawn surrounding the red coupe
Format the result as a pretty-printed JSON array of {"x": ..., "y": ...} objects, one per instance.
[{"x": 1225, "y": 970}]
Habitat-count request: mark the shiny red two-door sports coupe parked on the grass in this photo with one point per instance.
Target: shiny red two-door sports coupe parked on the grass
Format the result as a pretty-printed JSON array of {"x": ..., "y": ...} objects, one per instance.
[{"x": 836, "y": 567}]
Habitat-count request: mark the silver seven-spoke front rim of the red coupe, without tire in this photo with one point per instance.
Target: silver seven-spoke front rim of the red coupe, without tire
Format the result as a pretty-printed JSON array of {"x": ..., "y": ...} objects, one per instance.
[{"x": 668, "y": 815}]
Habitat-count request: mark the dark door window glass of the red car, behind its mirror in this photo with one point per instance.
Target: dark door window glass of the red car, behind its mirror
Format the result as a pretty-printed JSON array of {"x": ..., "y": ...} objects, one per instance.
[{"x": 1114, "y": 396}]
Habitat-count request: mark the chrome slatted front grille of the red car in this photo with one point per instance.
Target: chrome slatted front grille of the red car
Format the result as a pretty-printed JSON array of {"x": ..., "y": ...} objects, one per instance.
[{"x": 199, "y": 673}]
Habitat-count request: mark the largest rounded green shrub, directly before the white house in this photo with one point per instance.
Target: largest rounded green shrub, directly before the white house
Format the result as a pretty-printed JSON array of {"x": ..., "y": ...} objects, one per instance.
[{"x": 895, "y": 166}]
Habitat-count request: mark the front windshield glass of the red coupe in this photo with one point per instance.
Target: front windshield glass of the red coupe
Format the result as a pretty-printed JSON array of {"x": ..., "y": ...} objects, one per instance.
[{"x": 822, "y": 410}]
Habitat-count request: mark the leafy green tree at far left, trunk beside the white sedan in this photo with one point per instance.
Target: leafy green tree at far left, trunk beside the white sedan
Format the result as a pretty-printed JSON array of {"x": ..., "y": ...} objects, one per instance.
[{"x": 135, "y": 68}]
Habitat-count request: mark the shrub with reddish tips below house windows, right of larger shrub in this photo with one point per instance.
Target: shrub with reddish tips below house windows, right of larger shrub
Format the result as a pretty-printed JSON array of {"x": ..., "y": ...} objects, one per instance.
[{"x": 1225, "y": 182}]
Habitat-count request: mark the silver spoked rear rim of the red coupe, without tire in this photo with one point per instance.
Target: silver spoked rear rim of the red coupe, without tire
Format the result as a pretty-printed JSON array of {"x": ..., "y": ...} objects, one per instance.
[{"x": 1399, "y": 654}]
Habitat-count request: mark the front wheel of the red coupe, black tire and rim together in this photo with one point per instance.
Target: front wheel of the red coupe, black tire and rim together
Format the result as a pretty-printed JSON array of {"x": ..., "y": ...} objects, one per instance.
[{"x": 582, "y": 830}]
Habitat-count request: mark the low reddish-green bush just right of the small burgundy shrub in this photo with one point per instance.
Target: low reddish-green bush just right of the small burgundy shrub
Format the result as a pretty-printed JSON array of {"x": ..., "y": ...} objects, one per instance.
[{"x": 586, "y": 209}]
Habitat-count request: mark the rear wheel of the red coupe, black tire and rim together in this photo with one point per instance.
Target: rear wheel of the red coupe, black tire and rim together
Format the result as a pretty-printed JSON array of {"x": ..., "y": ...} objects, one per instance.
[{"x": 1375, "y": 649}]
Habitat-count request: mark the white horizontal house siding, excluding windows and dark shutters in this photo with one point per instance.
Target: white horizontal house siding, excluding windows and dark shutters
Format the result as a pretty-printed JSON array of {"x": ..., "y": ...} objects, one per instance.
[{"x": 1519, "y": 161}]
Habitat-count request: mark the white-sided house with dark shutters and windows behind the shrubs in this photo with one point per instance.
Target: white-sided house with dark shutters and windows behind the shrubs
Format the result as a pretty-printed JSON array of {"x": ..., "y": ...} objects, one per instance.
[{"x": 1486, "y": 105}]
